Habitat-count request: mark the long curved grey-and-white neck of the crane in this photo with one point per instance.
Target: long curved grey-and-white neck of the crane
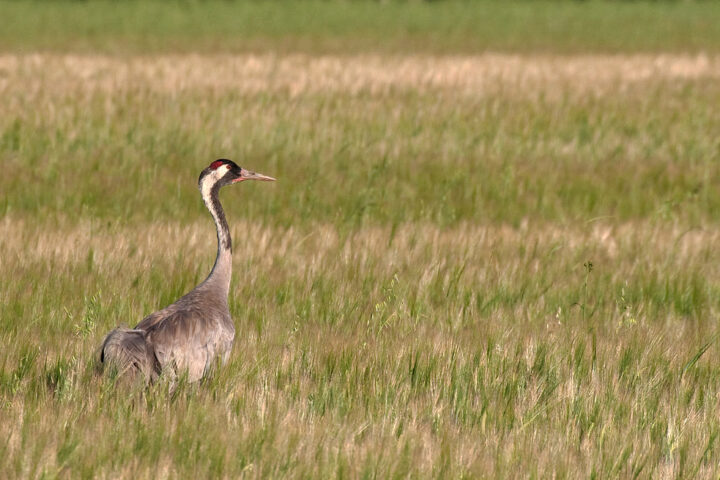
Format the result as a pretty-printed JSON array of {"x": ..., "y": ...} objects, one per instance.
[{"x": 219, "y": 277}]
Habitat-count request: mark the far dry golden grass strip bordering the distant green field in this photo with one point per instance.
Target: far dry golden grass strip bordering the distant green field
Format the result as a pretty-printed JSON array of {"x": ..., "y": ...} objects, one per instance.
[{"x": 468, "y": 75}]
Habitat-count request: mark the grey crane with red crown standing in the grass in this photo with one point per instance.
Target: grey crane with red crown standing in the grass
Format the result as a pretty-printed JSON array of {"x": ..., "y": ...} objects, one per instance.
[{"x": 188, "y": 336}]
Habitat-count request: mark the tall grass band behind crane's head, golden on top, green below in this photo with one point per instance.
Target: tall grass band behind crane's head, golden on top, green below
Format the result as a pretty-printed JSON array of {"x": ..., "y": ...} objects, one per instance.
[{"x": 502, "y": 140}]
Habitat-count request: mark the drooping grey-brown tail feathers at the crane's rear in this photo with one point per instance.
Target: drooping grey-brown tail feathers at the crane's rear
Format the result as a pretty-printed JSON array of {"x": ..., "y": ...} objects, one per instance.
[{"x": 129, "y": 351}]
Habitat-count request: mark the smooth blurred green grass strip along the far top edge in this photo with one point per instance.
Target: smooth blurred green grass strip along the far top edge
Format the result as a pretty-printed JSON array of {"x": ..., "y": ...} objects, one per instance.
[{"x": 337, "y": 27}]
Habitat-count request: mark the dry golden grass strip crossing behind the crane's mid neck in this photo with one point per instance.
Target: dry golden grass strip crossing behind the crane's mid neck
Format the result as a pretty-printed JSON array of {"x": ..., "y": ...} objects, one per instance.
[{"x": 68, "y": 242}]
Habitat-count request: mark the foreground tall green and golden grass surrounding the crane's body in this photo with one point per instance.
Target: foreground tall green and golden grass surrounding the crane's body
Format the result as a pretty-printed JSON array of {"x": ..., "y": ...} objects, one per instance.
[{"x": 423, "y": 351}]
